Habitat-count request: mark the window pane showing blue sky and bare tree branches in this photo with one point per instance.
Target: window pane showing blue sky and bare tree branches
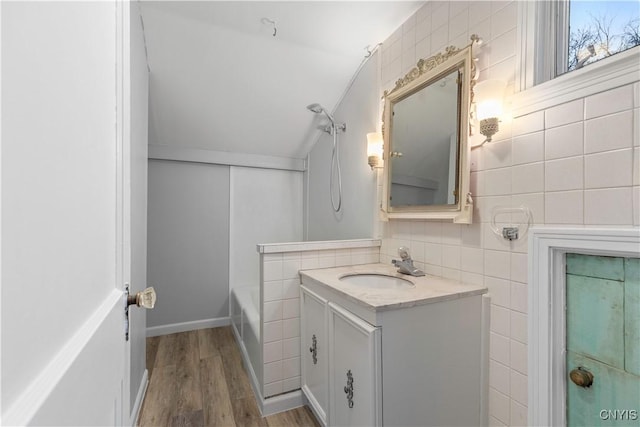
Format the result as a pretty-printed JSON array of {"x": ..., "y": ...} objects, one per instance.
[{"x": 597, "y": 30}]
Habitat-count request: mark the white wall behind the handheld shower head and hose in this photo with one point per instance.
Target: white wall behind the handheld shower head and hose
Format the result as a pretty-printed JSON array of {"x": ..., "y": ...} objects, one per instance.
[{"x": 359, "y": 110}]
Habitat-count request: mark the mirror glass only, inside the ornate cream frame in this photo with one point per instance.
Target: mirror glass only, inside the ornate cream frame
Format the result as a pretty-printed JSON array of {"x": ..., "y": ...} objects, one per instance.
[{"x": 425, "y": 134}]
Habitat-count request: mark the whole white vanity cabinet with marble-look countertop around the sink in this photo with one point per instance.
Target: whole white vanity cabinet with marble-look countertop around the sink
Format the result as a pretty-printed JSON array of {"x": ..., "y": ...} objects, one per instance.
[{"x": 394, "y": 360}]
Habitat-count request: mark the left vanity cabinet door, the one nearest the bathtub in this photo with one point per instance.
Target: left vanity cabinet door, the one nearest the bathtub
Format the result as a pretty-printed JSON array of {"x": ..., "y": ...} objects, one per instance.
[{"x": 314, "y": 354}]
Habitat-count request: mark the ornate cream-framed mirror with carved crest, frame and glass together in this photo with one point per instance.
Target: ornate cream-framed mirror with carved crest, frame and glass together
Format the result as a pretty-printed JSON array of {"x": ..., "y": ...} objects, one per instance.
[{"x": 426, "y": 129}]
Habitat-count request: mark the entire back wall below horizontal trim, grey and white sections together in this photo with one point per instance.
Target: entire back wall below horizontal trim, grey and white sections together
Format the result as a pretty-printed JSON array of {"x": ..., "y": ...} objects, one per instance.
[{"x": 205, "y": 221}]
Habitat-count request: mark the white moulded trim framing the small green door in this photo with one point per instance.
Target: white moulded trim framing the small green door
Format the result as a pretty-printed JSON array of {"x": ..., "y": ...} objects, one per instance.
[{"x": 546, "y": 335}]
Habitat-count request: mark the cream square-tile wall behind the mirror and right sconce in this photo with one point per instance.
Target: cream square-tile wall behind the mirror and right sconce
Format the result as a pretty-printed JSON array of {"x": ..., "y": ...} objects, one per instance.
[{"x": 574, "y": 164}]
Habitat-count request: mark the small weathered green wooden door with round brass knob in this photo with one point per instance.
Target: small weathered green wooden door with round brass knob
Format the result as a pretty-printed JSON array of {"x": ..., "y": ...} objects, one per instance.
[{"x": 603, "y": 338}]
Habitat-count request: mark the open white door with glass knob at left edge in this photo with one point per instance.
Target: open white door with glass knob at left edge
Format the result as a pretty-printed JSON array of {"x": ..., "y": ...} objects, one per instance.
[{"x": 66, "y": 208}]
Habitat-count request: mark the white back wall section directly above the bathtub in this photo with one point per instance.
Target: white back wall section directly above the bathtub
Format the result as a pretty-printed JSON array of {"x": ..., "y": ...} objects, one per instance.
[{"x": 266, "y": 207}]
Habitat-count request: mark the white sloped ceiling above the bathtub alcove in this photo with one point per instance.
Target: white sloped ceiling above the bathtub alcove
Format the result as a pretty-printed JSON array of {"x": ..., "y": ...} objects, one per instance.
[{"x": 221, "y": 81}]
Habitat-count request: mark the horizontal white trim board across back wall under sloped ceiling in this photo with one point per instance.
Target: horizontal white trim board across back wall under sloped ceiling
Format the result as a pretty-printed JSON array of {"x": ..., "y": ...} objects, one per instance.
[{"x": 165, "y": 152}]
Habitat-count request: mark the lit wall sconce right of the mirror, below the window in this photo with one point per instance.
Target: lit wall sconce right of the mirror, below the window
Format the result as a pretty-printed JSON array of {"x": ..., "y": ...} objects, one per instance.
[{"x": 489, "y": 95}]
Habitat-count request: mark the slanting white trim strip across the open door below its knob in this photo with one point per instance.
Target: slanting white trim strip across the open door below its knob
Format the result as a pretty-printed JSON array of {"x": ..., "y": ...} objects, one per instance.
[{"x": 35, "y": 394}]
